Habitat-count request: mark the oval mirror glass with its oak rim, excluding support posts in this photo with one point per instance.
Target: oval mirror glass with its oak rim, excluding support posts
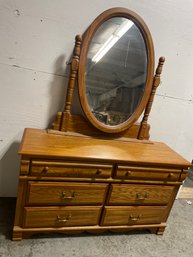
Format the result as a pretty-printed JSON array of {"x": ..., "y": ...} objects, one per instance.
[{"x": 116, "y": 70}]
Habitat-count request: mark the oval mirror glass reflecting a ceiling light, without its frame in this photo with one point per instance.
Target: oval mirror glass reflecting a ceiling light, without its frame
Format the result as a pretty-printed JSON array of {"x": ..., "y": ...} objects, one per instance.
[{"x": 116, "y": 71}]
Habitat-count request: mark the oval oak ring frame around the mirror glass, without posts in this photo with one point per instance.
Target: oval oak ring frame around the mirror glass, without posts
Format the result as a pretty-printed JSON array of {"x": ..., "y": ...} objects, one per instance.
[{"x": 87, "y": 37}]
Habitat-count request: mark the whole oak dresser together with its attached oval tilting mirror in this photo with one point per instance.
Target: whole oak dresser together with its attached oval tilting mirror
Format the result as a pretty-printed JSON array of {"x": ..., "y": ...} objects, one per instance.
[{"x": 99, "y": 171}]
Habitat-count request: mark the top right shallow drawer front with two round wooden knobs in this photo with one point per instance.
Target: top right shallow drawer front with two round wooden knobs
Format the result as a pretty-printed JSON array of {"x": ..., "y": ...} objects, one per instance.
[{"x": 147, "y": 173}]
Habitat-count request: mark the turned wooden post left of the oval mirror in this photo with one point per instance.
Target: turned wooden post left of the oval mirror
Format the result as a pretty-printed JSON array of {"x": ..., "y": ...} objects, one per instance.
[{"x": 73, "y": 73}]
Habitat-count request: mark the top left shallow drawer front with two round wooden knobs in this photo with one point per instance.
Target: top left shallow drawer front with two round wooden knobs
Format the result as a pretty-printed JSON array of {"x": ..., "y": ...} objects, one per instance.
[{"x": 71, "y": 170}]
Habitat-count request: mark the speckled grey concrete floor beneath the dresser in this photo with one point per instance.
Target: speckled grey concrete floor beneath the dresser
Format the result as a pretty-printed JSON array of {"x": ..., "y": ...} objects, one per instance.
[{"x": 176, "y": 241}]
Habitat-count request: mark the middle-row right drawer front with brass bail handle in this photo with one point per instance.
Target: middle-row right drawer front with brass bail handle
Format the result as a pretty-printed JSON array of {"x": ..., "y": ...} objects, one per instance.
[{"x": 140, "y": 194}]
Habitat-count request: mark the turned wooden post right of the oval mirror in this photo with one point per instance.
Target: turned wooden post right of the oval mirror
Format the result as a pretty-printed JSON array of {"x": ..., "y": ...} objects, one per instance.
[{"x": 156, "y": 83}]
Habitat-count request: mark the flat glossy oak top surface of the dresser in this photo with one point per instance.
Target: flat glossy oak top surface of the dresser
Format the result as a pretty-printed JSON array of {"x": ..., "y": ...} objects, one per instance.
[{"x": 39, "y": 143}]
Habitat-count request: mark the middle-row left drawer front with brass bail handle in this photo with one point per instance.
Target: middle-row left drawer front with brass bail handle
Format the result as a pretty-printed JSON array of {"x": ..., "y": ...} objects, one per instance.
[{"x": 64, "y": 193}]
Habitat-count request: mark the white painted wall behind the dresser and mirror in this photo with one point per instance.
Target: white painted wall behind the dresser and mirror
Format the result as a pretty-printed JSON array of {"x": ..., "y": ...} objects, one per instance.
[{"x": 36, "y": 39}]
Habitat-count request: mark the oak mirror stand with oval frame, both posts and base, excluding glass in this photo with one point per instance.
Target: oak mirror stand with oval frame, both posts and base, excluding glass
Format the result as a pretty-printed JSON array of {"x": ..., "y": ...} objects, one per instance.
[{"x": 65, "y": 122}]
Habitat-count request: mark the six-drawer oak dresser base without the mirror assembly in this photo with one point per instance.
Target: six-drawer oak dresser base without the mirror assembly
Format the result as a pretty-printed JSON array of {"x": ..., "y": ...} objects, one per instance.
[{"x": 75, "y": 184}]
